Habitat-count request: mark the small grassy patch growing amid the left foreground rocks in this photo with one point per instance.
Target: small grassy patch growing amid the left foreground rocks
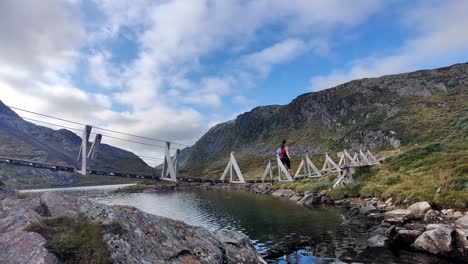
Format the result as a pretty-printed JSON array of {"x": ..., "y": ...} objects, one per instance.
[{"x": 77, "y": 241}]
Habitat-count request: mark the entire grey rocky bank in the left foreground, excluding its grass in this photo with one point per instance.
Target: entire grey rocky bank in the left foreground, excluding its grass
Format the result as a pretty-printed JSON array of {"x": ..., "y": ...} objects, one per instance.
[{"x": 134, "y": 236}]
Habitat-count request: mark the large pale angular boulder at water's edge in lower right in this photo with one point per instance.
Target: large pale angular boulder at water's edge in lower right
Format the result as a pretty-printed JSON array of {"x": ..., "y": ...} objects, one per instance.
[{"x": 437, "y": 241}]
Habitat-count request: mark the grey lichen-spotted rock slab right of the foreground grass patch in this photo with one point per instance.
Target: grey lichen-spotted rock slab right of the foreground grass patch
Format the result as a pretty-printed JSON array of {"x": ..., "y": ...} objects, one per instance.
[{"x": 138, "y": 237}]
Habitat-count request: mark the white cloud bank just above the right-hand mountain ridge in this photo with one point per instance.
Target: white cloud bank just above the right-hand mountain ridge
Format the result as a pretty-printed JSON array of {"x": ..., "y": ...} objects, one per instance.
[{"x": 440, "y": 39}]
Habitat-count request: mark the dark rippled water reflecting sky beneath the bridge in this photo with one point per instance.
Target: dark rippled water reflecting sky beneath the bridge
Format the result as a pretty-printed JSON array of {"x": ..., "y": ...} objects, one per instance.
[{"x": 282, "y": 231}]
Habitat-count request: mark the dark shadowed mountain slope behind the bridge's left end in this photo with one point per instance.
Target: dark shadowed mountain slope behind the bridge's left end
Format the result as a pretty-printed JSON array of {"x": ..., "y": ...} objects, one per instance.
[{"x": 25, "y": 140}]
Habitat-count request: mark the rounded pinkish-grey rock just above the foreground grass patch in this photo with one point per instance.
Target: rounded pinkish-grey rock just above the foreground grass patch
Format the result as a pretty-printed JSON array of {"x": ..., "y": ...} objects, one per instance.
[{"x": 57, "y": 205}]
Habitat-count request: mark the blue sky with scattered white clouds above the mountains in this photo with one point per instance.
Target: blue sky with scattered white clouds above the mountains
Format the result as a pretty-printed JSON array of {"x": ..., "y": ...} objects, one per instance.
[{"x": 171, "y": 69}]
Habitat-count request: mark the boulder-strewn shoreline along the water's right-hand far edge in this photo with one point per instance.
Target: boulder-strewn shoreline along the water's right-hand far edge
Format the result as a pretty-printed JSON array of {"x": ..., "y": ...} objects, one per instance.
[{"x": 416, "y": 228}]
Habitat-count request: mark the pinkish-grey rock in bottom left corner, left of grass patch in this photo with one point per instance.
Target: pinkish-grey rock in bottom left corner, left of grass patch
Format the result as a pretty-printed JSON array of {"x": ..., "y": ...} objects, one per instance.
[{"x": 25, "y": 248}]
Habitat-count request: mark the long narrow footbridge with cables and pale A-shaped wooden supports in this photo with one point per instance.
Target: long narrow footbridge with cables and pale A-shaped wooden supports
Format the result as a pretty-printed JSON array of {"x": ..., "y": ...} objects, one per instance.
[{"x": 344, "y": 168}]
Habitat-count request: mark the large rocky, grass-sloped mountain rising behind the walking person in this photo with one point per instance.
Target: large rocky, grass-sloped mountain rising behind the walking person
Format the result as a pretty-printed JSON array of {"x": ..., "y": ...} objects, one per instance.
[{"x": 391, "y": 115}]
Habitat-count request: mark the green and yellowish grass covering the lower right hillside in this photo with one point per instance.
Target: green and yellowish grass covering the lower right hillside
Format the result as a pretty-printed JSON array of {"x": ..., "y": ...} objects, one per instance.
[{"x": 431, "y": 164}]
